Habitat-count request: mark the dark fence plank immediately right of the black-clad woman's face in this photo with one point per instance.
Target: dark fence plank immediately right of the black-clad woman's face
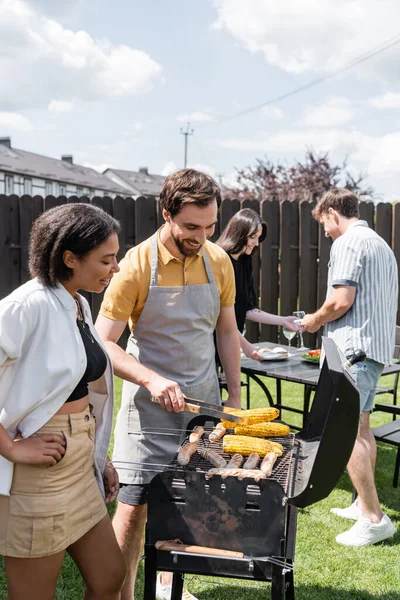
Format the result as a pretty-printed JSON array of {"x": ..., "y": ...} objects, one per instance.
[{"x": 270, "y": 249}]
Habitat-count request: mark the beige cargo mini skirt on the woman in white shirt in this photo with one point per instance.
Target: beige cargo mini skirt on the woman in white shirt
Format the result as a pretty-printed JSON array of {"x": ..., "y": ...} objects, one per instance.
[{"x": 50, "y": 508}]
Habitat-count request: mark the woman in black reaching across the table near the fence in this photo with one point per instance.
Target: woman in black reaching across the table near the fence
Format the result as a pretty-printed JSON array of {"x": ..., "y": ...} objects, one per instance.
[{"x": 240, "y": 238}]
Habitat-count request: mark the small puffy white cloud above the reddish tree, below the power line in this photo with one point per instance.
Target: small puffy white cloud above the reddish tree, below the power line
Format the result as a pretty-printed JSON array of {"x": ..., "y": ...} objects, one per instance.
[{"x": 334, "y": 112}]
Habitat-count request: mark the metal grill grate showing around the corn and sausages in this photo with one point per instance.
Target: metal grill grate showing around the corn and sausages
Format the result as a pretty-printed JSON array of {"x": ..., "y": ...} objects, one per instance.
[{"x": 283, "y": 472}]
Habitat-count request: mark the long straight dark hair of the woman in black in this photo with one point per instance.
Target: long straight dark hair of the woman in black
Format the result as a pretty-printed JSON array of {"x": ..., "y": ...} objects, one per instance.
[{"x": 241, "y": 226}]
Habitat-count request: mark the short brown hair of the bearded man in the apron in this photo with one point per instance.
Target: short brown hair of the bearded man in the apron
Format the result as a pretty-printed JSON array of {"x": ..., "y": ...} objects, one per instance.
[{"x": 188, "y": 186}]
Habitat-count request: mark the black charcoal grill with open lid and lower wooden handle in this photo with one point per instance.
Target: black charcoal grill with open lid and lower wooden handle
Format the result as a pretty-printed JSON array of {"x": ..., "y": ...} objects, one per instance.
[{"x": 257, "y": 521}]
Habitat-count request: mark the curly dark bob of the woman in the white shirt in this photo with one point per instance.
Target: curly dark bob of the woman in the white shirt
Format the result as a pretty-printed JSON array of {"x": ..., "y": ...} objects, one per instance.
[{"x": 78, "y": 227}]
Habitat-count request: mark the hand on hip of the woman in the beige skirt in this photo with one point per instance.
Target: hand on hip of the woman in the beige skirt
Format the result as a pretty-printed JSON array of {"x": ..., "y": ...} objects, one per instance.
[{"x": 46, "y": 450}]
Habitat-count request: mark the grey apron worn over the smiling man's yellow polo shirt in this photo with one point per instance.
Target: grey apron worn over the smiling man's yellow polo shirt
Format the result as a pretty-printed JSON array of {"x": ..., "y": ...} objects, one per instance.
[{"x": 174, "y": 338}]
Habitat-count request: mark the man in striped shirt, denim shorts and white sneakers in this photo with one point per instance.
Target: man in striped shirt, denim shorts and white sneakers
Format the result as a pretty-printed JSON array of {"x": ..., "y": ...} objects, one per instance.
[{"x": 359, "y": 312}]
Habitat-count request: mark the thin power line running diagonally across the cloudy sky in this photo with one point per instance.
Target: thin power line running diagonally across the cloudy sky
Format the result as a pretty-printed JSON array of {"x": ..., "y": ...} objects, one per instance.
[{"x": 366, "y": 56}]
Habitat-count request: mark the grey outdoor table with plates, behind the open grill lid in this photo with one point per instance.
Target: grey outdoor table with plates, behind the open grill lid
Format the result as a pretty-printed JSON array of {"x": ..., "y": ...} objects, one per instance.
[{"x": 293, "y": 369}]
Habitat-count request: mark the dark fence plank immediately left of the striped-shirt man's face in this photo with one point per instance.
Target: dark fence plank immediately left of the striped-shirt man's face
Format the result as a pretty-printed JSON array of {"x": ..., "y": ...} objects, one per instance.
[{"x": 308, "y": 265}]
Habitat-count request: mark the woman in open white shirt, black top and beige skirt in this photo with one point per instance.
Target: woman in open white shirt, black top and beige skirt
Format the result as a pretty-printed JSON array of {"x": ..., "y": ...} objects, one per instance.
[{"x": 56, "y": 407}]
